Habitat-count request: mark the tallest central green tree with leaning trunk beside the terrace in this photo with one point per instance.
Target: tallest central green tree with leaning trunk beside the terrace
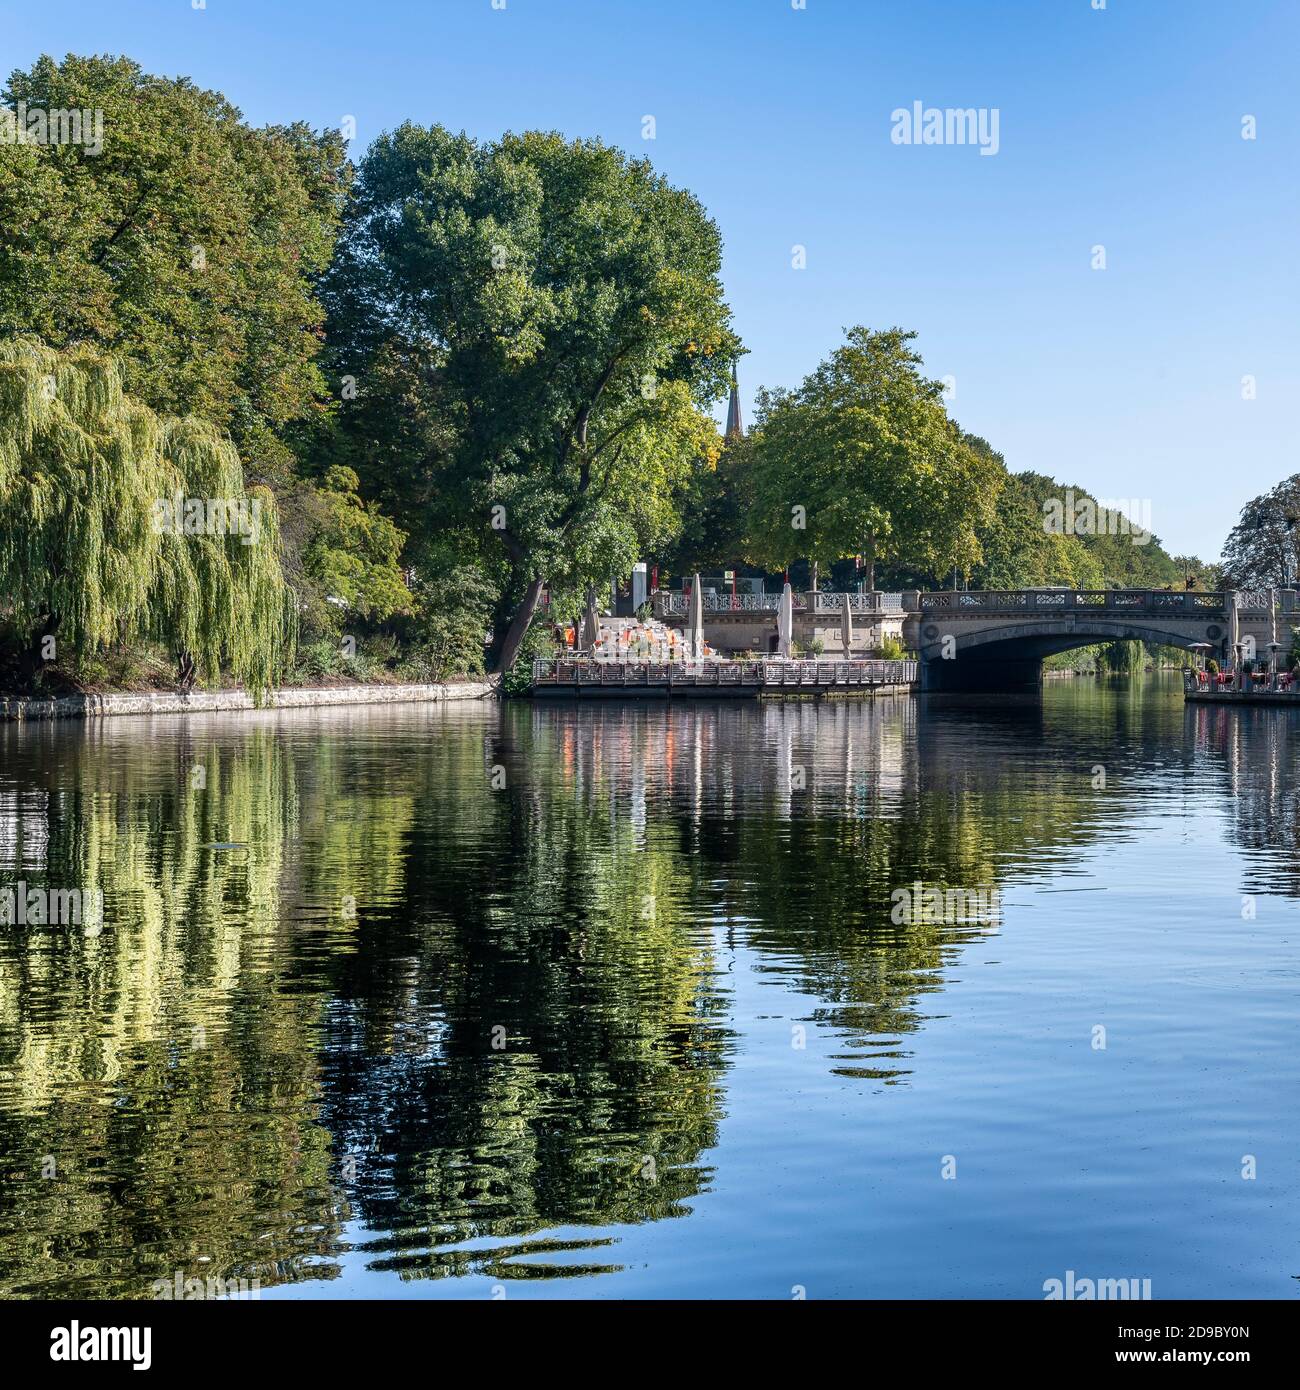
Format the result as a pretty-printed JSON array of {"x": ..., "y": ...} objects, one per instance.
[{"x": 533, "y": 332}]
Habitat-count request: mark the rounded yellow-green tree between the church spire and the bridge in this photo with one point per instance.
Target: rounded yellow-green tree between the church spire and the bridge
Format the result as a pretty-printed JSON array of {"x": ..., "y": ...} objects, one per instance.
[{"x": 863, "y": 459}]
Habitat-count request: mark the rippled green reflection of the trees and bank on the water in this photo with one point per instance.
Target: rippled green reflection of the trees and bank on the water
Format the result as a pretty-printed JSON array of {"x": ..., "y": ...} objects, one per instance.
[{"x": 457, "y": 978}]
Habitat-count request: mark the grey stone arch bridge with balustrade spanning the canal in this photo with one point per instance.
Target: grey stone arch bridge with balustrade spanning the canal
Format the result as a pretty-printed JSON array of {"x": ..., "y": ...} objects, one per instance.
[{"x": 996, "y": 640}]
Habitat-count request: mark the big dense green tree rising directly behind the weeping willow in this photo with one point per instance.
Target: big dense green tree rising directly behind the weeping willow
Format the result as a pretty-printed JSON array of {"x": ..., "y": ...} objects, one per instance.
[{"x": 187, "y": 245}]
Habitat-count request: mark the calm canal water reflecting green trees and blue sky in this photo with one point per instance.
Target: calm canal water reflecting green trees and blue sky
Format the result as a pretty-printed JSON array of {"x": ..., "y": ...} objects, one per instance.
[{"x": 624, "y": 1001}]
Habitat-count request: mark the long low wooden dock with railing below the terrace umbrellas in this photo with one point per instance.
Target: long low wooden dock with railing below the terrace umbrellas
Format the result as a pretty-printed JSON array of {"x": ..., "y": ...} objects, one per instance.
[{"x": 735, "y": 680}]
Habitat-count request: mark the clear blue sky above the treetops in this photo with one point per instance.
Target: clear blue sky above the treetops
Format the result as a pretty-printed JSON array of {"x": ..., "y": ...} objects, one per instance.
[{"x": 1117, "y": 129}]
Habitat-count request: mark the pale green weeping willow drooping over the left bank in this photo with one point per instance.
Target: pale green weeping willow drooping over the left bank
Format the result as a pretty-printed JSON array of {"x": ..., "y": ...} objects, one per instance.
[{"x": 116, "y": 525}]
